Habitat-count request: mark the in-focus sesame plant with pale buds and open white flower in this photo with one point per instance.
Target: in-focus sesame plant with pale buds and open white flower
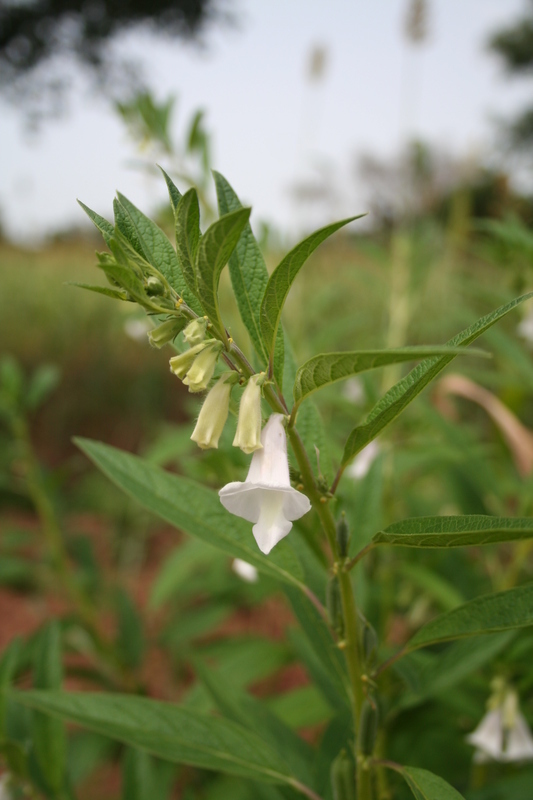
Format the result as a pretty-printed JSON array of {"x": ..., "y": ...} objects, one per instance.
[{"x": 286, "y": 519}]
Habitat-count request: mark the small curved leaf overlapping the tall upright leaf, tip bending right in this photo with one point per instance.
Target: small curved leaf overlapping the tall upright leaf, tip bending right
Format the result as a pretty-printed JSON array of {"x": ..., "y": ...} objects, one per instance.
[{"x": 216, "y": 246}]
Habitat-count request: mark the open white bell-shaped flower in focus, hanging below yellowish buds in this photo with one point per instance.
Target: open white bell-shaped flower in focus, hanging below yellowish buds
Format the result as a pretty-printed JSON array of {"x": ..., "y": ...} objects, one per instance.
[{"x": 266, "y": 497}]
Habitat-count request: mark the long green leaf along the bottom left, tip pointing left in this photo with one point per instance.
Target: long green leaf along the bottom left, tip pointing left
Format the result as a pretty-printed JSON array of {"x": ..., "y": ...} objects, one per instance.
[{"x": 166, "y": 730}]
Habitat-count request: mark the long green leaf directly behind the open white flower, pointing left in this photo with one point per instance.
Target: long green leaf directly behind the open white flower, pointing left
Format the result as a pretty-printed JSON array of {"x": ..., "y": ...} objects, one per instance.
[{"x": 192, "y": 508}]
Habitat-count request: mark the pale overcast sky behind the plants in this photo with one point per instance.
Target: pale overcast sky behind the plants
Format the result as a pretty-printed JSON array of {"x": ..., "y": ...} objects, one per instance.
[{"x": 270, "y": 125}]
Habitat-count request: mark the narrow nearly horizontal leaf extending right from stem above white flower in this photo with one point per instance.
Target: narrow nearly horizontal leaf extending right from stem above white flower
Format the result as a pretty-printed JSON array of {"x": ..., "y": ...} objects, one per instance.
[{"x": 328, "y": 368}]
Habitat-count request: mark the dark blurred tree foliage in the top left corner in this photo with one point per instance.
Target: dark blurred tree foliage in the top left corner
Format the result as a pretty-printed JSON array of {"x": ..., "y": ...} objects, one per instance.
[{"x": 38, "y": 38}]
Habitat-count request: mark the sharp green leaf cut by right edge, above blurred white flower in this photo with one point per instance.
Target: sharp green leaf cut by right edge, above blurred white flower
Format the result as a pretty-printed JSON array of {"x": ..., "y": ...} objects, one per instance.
[{"x": 487, "y": 614}]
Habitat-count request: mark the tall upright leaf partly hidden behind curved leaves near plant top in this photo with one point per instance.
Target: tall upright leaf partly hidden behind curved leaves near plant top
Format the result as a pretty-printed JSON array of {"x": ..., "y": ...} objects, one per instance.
[{"x": 249, "y": 278}]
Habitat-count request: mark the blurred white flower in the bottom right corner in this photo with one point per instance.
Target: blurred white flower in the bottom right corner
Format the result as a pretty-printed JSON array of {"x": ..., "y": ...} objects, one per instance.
[{"x": 503, "y": 734}]
